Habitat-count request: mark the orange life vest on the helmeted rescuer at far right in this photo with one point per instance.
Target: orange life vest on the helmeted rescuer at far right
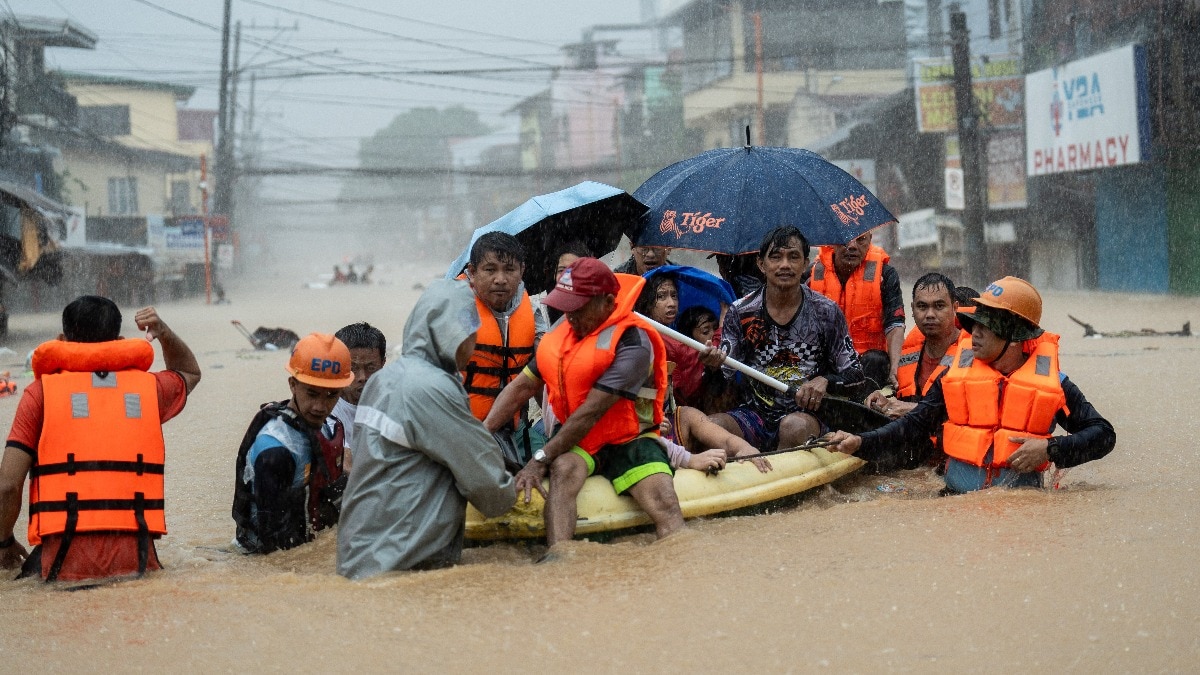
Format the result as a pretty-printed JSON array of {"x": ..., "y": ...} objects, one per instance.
[{"x": 986, "y": 408}]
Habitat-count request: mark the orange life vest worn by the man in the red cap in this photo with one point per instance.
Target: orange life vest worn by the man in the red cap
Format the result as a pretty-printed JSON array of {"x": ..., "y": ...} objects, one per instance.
[{"x": 571, "y": 367}]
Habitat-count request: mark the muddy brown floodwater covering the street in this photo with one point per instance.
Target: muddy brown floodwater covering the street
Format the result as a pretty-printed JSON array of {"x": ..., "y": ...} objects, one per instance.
[{"x": 1101, "y": 576}]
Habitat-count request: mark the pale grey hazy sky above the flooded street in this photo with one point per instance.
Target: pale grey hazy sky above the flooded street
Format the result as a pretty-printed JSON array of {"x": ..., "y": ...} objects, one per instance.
[{"x": 320, "y": 120}]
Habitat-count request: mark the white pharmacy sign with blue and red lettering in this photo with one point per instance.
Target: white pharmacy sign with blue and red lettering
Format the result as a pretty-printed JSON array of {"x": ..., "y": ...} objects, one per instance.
[{"x": 1088, "y": 115}]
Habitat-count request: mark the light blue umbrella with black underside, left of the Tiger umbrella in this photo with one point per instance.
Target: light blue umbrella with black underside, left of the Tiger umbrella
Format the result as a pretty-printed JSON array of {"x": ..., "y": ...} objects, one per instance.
[{"x": 592, "y": 213}]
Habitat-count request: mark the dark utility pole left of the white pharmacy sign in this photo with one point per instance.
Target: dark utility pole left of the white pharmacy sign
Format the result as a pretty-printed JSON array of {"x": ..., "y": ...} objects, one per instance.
[{"x": 975, "y": 255}]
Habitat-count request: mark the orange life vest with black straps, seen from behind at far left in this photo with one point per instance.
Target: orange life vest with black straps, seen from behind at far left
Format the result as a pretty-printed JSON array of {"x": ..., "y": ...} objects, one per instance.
[{"x": 100, "y": 458}]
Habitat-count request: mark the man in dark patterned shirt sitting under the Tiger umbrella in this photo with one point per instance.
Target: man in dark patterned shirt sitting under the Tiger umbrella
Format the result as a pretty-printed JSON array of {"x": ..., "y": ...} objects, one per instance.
[{"x": 794, "y": 334}]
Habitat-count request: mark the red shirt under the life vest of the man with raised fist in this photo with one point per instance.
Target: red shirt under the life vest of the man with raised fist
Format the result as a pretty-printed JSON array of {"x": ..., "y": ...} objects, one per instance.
[{"x": 93, "y": 554}]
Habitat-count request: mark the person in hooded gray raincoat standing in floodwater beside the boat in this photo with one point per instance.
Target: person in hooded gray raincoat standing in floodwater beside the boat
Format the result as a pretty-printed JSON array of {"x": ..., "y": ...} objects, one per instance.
[{"x": 419, "y": 455}]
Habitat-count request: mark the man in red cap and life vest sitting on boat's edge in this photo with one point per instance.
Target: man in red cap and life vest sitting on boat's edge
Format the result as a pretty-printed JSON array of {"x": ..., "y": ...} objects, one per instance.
[{"x": 605, "y": 374}]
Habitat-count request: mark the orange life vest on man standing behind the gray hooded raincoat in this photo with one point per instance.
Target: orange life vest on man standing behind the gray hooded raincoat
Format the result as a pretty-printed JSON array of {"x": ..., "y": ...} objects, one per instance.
[{"x": 494, "y": 365}]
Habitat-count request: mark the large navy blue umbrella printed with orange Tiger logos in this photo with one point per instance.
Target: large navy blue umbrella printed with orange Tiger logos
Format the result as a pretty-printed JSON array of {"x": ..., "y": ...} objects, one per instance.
[{"x": 725, "y": 201}]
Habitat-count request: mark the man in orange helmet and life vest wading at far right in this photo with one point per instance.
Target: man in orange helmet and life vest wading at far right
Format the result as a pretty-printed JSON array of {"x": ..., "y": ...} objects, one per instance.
[{"x": 999, "y": 402}]
